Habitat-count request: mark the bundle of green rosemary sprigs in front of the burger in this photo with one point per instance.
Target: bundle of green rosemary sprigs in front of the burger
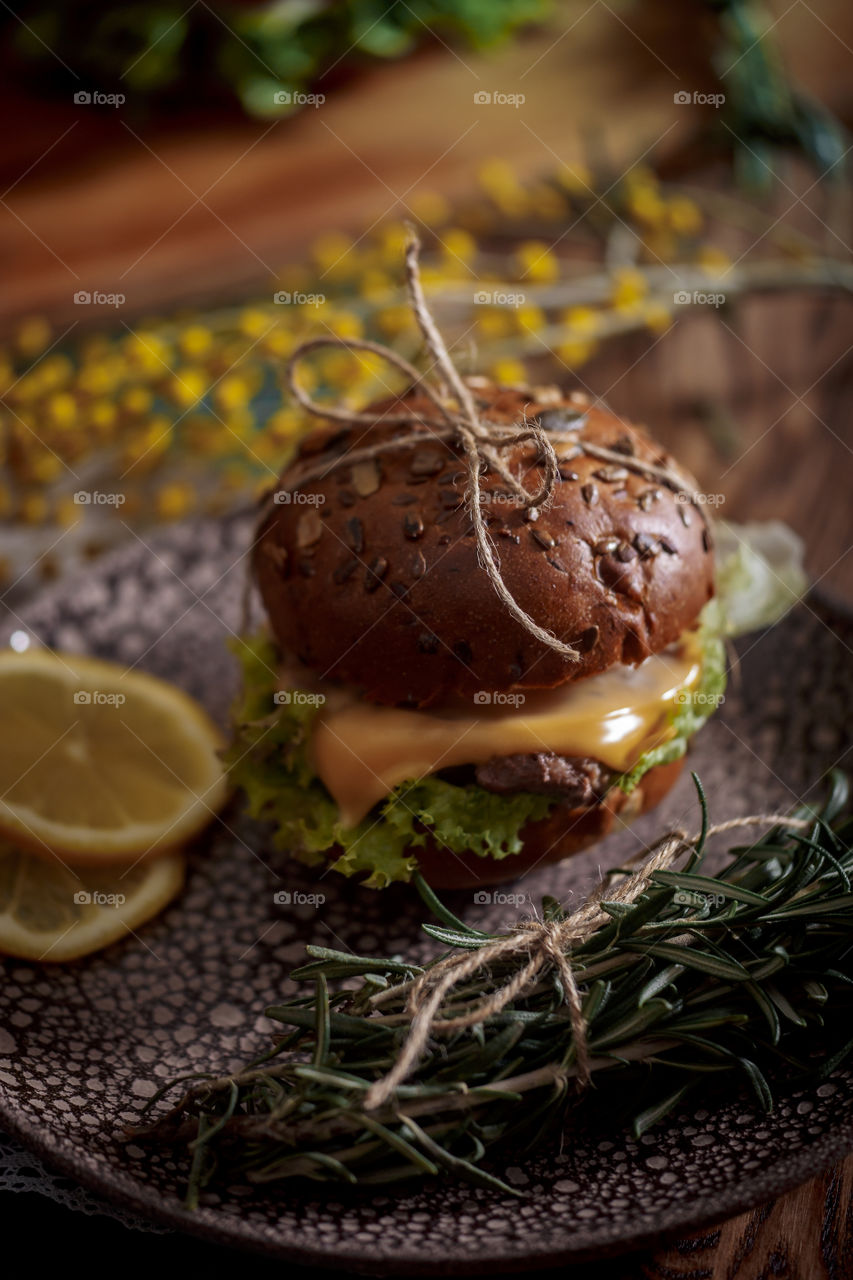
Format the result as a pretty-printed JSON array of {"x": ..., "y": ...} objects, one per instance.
[{"x": 742, "y": 976}]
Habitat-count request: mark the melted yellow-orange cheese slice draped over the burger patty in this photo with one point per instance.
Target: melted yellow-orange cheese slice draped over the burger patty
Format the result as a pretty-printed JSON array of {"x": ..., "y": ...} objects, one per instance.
[{"x": 362, "y": 752}]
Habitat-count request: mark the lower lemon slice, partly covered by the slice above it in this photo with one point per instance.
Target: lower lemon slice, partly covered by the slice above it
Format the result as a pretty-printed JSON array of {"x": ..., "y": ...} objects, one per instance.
[{"x": 49, "y": 912}]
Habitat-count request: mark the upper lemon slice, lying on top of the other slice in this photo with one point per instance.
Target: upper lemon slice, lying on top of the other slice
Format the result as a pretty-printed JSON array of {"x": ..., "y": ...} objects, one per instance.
[{"x": 102, "y": 765}]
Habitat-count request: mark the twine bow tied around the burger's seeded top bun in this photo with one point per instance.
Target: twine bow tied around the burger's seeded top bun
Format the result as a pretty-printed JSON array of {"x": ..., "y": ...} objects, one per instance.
[{"x": 458, "y": 420}]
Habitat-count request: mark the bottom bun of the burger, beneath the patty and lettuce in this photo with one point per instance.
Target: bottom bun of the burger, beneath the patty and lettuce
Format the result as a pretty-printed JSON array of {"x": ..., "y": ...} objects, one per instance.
[{"x": 564, "y": 833}]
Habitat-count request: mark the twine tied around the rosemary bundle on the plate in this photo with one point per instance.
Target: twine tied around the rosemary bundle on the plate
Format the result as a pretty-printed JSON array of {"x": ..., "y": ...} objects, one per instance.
[{"x": 549, "y": 947}]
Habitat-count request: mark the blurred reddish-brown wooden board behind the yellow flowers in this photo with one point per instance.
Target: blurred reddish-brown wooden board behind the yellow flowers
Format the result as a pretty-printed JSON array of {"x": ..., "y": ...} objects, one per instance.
[{"x": 185, "y": 211}]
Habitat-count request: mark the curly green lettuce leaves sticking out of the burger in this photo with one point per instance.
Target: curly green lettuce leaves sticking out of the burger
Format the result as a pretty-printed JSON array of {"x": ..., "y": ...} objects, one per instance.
[{"x": 268, "y": 756}]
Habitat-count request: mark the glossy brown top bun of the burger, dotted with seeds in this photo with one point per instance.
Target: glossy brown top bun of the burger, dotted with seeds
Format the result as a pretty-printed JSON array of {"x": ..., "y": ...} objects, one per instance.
[{"x": 371, "y": 575}]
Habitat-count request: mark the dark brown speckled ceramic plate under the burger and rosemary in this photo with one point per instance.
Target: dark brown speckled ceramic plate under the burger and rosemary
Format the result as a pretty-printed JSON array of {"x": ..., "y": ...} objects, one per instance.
[{"x": 84, "y": 1046}]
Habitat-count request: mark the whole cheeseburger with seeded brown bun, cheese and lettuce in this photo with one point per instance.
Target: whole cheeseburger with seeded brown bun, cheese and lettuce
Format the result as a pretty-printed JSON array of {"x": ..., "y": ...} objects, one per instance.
[{"x": 396, "y": 716}]
